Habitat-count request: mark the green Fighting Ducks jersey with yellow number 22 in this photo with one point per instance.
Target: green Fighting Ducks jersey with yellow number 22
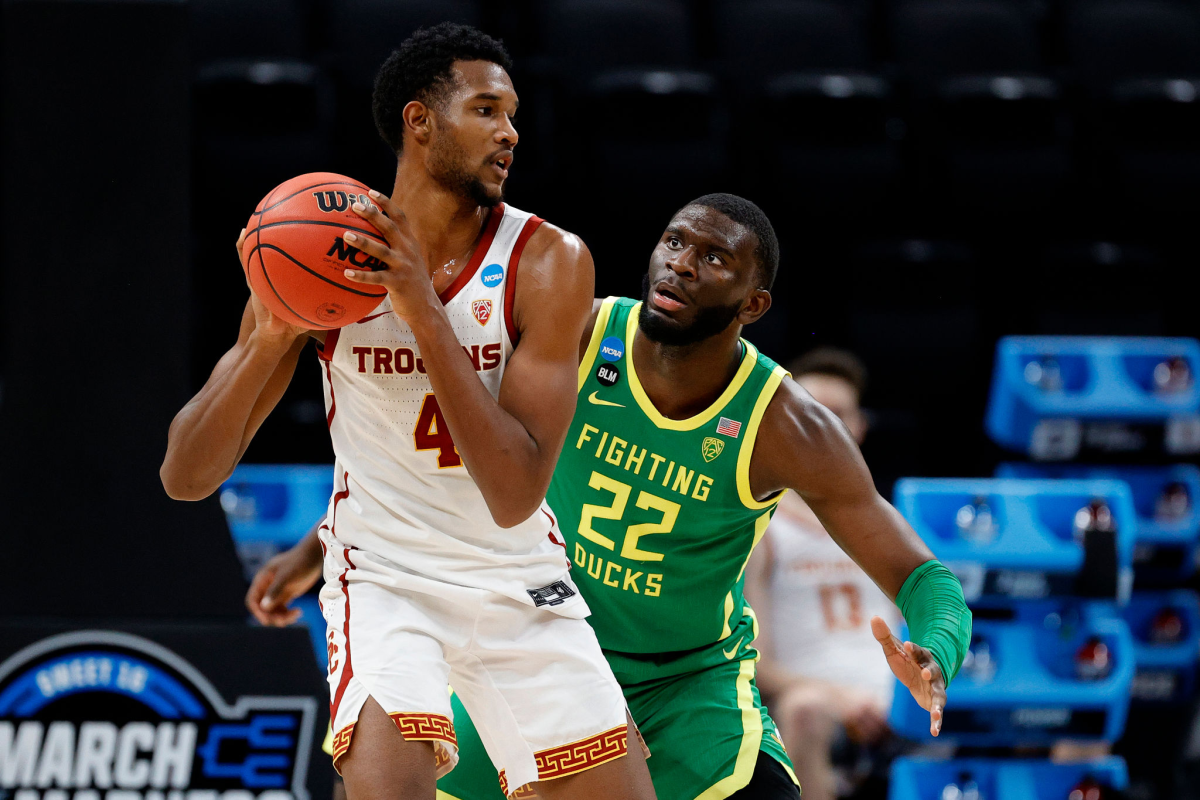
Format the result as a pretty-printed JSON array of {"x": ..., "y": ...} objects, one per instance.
[{"x": 658, "y": 514}]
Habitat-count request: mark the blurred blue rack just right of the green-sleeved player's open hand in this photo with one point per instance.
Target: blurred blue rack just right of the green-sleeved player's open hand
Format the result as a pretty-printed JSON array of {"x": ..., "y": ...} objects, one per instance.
[{"x": 1027, "y": 690}]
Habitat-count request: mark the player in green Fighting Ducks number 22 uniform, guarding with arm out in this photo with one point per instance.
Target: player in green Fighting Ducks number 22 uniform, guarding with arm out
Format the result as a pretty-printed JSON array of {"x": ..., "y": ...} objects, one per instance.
[{"x": 683, "y": 442}]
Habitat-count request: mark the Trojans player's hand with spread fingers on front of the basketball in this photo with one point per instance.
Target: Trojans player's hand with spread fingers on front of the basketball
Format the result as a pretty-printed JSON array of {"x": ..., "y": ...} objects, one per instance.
[{"x": 406, "y": 275}]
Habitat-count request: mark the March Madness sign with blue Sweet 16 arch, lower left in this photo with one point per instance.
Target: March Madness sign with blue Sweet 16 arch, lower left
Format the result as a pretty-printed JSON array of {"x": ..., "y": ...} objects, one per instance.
[{"x": 111, "y": 715}]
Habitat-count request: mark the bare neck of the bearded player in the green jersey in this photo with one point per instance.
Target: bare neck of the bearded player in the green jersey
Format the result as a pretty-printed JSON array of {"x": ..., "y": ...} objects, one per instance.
[{"x": 685, "y": 381}]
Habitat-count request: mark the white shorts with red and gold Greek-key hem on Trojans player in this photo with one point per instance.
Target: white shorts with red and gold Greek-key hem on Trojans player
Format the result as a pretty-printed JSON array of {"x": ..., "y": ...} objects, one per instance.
[{"x": 537, "y": 685}]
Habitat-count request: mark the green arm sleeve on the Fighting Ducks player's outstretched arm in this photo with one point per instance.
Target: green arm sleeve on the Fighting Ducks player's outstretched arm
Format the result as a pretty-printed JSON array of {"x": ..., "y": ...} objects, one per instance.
[{"x": 938, "y": 616}]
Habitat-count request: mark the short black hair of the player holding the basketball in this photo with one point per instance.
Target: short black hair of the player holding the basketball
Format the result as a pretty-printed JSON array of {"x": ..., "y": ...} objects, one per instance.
[{"x": 422, "y": 70}]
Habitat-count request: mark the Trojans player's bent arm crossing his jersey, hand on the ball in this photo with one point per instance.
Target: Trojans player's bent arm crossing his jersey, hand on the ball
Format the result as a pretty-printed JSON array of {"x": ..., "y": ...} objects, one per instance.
[{"x": 511, "y": 444}]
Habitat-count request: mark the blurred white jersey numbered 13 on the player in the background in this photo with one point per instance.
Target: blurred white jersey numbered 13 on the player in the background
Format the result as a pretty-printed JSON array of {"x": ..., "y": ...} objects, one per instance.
[{"x": 827, "y": 603}]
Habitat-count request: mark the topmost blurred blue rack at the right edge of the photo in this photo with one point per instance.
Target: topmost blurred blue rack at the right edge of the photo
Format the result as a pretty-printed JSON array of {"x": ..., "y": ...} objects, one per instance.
[{"x": 1058, "y": 399}]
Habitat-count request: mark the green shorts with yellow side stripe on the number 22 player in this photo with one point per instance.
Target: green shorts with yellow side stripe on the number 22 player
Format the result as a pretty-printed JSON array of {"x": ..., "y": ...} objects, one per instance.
[{"x": 704, "y": 727}]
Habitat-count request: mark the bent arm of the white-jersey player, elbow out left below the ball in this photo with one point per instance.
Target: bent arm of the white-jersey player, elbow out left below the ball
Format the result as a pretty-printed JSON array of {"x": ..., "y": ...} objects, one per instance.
[{"x": 212, "y": 432}]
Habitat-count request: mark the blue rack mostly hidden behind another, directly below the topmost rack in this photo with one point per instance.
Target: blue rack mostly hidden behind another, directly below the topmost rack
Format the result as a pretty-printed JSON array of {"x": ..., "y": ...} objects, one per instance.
[{"x": 1167, "y": 540}]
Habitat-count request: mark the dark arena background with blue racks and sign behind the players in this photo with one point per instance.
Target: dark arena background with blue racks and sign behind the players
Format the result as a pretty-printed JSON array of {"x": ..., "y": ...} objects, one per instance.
[{"x": 993, "y": 203}]
